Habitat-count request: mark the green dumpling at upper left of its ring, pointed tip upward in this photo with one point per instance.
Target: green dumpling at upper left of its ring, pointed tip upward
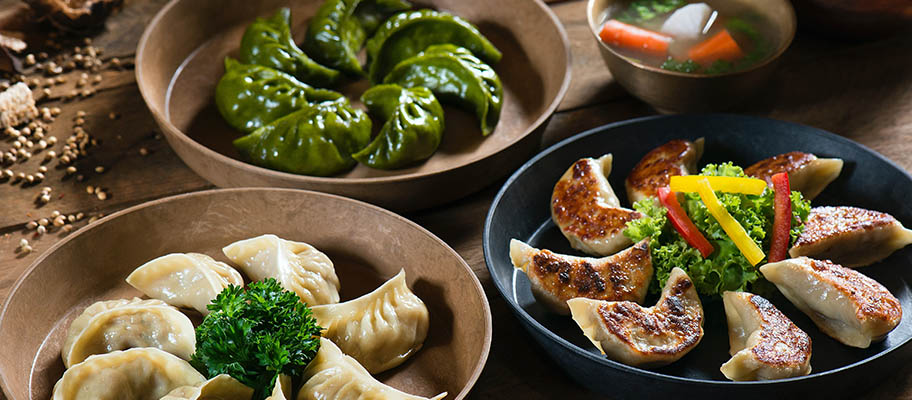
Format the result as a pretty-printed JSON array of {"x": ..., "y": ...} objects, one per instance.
[{"x": 268, "y": 42}]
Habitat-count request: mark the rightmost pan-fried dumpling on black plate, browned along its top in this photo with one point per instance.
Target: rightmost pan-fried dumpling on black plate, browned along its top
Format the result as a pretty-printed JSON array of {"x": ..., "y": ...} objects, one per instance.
[{"x": 850, "y": 236}]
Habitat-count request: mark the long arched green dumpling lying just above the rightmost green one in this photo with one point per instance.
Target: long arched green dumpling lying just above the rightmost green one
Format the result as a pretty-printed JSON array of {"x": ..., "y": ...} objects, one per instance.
[{"x": 407, "y": 34}]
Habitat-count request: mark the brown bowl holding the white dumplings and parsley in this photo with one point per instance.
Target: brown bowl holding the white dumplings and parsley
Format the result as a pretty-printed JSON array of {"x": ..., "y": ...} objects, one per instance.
[{"x": 367, "y": 245}]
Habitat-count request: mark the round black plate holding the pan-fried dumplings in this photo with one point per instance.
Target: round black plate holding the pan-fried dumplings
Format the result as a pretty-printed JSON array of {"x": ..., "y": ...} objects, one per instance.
[{"x": 521, "y": 210}]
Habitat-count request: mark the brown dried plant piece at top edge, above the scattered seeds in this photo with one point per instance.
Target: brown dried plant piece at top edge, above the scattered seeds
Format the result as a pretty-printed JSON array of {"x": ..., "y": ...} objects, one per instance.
[{"x": 75, "y": 15}]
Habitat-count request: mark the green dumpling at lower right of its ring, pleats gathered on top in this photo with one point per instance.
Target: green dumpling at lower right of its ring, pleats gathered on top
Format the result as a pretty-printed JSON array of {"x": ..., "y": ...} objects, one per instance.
[{"x": 412, "y": 131}]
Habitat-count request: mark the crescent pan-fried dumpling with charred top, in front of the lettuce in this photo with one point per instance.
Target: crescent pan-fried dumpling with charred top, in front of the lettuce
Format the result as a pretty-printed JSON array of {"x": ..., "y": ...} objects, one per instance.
[{"x": 644, "y": 337}]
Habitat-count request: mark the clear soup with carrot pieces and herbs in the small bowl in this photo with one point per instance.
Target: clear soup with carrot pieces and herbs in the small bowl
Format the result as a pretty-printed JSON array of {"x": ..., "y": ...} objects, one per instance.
[{"x": 704, "y": 37}]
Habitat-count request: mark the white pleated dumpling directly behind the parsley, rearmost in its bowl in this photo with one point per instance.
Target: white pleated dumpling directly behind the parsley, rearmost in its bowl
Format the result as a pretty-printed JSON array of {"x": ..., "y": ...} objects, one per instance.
[{"x": 298, "y": 267}]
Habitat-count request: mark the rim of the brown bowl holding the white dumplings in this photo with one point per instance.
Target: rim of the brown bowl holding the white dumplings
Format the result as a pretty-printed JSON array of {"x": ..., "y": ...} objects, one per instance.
[{"x": 470, "y": 382}]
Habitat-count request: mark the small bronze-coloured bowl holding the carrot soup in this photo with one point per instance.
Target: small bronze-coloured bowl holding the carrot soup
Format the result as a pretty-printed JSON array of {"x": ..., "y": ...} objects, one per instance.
[{"x": 670, "y": 91}]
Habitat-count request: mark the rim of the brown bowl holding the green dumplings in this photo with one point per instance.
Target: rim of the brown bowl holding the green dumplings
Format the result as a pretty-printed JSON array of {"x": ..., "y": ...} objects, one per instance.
[{"x": 175, "y": 133}]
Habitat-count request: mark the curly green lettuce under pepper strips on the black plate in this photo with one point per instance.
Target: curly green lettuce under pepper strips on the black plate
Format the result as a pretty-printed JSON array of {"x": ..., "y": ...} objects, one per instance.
[{"x": 726, "y": 268}]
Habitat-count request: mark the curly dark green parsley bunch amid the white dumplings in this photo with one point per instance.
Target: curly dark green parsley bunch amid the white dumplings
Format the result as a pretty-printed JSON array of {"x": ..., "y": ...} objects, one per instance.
[{"x": 256, "y": 334}]
